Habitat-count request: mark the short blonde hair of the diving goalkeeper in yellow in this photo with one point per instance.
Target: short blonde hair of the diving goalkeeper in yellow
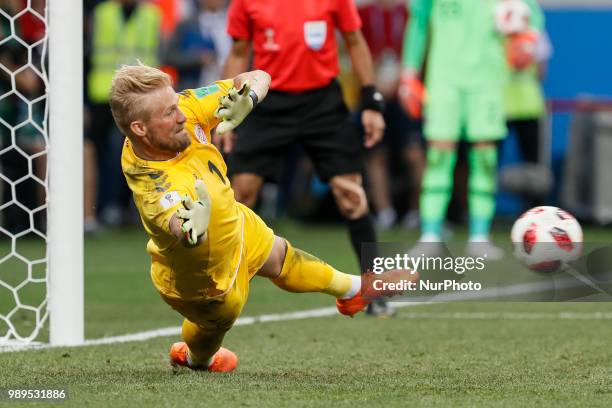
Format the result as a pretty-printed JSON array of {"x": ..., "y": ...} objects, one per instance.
[{"x": 130, "y": 86}]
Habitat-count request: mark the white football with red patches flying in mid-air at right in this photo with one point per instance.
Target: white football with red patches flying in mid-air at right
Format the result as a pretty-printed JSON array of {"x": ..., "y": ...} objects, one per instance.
[{"x": 546, "y": 237}]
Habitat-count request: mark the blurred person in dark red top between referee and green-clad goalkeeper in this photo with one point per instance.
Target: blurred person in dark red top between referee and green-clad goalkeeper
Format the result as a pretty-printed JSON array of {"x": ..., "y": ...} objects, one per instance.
[{"x": 384, "y": 22}]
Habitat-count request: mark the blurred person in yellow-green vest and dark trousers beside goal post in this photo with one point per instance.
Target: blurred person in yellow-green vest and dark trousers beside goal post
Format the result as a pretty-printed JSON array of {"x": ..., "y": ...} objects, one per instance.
[{"x": 122, "y": 32}]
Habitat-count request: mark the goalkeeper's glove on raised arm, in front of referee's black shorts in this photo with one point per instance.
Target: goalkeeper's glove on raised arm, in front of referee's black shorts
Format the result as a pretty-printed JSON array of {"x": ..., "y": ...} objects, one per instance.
[{"x": 234, "y": 107}]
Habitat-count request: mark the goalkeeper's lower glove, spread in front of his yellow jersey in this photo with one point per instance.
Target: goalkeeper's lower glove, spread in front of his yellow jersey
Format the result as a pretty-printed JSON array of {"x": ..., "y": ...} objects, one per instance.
[{"x": 196, "y": 214}]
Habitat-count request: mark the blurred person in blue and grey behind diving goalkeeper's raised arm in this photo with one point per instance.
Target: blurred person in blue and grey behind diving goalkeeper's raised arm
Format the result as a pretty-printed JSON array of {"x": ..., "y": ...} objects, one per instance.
[{"x": 199, "y": 46}]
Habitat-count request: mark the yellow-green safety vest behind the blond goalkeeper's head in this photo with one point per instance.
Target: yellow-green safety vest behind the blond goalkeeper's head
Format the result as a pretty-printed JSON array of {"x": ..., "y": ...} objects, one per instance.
[{"x": 116, "y": 42}]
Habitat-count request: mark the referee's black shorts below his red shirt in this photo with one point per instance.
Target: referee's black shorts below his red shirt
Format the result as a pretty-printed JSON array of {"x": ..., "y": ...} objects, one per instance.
[{"x": 317, "y": 119}]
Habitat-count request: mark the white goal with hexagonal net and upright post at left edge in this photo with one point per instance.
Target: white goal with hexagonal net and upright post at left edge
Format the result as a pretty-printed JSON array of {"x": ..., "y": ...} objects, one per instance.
[{"x": 34, "y": 162}]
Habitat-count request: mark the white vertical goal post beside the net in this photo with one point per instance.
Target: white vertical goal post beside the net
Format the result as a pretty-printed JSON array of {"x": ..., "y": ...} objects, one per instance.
[{"x": 65, "y": 192}]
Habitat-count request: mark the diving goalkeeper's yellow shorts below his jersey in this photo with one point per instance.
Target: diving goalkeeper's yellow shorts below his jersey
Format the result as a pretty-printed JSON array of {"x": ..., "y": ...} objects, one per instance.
[{"x": 219, "y": 313}]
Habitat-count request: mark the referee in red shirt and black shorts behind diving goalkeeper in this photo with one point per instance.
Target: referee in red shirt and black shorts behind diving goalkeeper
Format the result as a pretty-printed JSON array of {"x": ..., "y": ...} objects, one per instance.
[{"x": 295, "y": 43}]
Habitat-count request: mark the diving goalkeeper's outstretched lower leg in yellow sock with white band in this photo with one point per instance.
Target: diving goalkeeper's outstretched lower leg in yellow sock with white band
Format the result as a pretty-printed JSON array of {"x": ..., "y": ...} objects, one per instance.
[{"x": 303, "y": 272}]
